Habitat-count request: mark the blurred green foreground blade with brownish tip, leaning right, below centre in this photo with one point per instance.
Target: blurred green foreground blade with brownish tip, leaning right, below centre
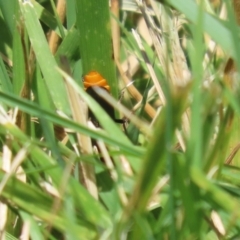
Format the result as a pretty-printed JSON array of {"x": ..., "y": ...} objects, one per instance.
[{"x": 155, "y": 157}]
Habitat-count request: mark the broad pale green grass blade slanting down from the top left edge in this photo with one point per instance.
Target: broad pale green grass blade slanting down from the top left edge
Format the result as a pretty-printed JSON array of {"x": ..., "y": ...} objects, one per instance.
[{"x": 44, "y": 57}]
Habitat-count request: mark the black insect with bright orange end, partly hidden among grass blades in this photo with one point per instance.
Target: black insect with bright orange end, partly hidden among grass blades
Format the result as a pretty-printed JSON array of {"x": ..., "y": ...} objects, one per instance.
[{"x": 95, "y": 79}]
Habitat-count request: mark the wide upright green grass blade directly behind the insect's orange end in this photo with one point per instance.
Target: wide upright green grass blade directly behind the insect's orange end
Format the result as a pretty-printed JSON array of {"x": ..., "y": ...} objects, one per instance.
[{"x": 93, "y": 21}]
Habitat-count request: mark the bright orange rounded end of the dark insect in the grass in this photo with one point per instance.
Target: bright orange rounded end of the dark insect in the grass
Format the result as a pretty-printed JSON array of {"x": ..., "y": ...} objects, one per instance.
[{"x": 95, "y": 79}]
